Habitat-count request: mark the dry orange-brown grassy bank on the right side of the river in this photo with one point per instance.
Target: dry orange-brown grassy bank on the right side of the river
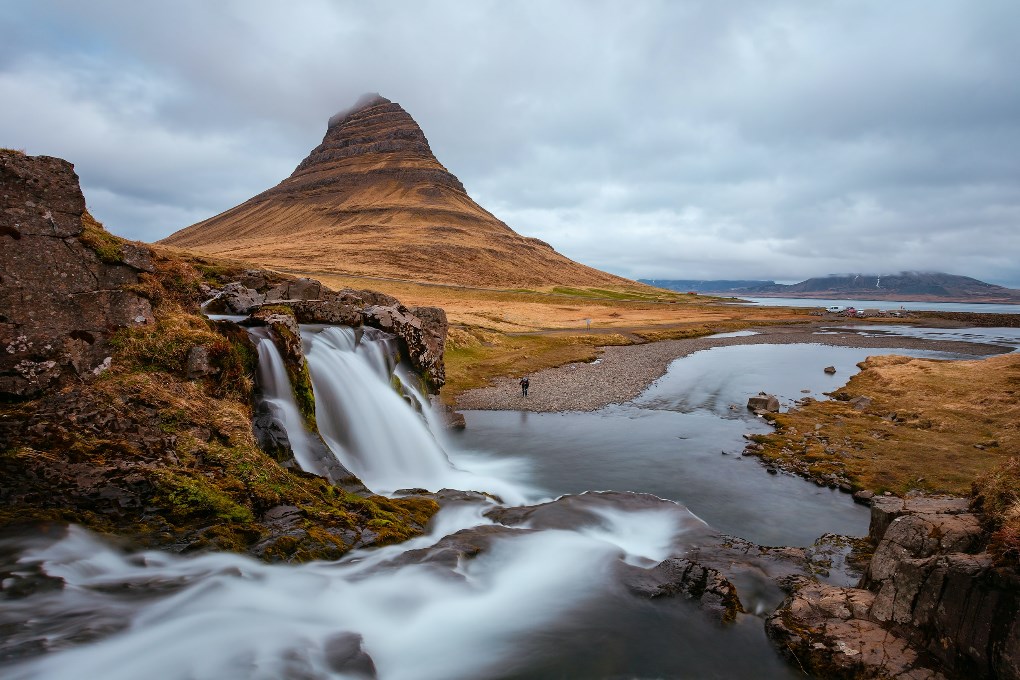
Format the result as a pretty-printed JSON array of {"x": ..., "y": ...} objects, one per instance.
[{"x": 932, "y": 426}]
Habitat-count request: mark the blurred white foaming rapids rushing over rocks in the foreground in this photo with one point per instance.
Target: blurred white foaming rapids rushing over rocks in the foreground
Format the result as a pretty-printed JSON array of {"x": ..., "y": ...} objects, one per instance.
[{"x": 222, "y": 616}]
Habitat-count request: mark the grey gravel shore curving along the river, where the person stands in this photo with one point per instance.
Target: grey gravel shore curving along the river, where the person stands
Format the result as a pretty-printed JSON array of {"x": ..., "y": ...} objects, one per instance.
[{"x": 624, "y": 373}]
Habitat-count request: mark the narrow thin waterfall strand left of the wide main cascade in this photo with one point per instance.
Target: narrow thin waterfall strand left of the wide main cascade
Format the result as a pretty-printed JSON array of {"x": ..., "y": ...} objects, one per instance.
[{"x": 278, "y": 394}]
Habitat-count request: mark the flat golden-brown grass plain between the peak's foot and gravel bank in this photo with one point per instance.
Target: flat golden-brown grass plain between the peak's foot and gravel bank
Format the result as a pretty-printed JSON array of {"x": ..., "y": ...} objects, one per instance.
[{"x": 498, "y": 333}]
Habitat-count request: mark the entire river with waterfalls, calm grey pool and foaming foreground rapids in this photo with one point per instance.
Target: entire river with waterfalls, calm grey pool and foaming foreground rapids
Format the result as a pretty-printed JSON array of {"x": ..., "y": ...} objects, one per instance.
[{"x": 552, "y": 595}]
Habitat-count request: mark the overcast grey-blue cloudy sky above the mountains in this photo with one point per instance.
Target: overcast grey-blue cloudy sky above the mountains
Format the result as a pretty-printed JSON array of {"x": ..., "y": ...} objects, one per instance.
[{"x": 683, "y": 139}]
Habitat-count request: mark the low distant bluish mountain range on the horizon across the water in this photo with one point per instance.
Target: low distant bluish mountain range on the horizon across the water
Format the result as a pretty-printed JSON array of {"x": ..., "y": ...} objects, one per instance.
[{"x": 907, "y": 286}]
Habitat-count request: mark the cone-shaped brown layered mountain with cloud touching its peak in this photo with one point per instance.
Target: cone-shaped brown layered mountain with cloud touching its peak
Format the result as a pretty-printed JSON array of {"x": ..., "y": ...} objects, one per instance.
[{"x": 373, "y": 200}]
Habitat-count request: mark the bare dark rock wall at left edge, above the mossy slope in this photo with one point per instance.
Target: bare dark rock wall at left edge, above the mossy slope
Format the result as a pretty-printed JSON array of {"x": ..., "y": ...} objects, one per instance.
[{"x": 60, "y": 301}]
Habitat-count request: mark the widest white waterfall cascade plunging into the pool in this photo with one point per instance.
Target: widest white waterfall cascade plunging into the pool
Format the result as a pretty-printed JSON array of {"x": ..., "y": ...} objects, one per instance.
[{"x": 375, "y": 432}]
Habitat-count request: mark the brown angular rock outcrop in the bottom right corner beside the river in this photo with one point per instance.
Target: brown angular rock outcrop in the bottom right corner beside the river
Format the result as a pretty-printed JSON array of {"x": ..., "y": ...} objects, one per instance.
[{"x": 932, "y": 605}]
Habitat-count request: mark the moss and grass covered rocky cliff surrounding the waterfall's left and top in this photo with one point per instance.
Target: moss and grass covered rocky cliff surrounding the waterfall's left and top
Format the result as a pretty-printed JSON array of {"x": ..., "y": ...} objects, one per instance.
[{"x": 125, "y": 410}]
